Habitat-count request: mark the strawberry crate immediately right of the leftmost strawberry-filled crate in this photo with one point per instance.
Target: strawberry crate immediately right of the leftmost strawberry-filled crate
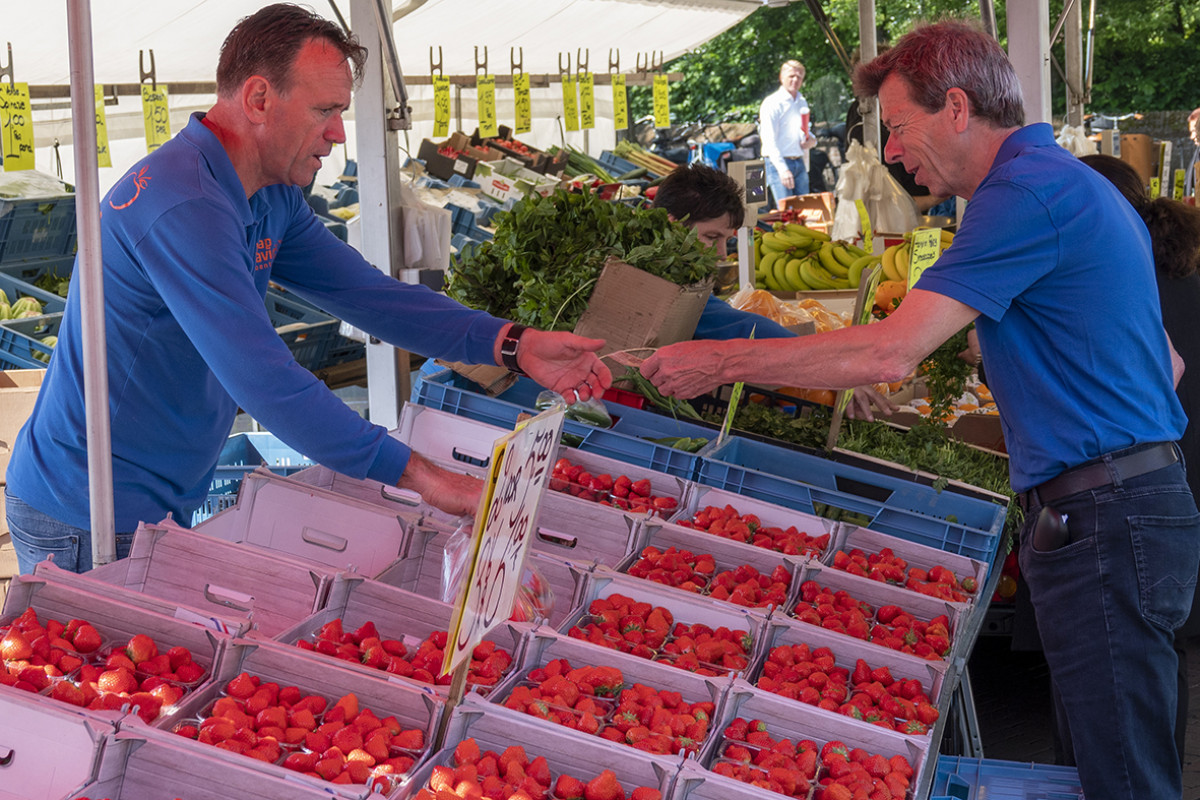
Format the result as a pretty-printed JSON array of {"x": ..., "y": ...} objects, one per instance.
[{"x": 313, "y": 721}]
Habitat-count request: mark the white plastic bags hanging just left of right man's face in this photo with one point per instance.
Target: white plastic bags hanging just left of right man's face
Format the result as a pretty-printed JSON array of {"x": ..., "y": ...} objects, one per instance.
[{"x": 866, "y": 178}]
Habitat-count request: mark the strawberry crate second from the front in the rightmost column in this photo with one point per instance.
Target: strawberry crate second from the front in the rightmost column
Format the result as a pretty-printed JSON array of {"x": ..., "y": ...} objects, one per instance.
[{"x": 836, "y": 673}]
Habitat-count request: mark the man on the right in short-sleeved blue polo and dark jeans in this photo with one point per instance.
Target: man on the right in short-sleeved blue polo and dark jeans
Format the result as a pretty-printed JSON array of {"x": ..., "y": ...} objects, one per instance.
[{"x": 1055, "y": 268}]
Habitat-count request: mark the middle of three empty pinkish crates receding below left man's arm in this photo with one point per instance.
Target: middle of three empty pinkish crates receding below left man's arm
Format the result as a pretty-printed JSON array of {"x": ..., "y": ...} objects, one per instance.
[{"x": 328, "y": 530}]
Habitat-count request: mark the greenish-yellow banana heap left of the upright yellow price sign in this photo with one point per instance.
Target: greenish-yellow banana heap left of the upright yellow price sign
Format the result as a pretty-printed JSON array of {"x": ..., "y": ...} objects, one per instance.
[{"x": 796, "y": 258}]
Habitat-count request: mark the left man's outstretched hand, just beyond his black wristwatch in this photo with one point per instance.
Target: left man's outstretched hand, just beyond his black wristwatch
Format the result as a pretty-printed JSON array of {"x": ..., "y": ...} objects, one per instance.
[{"x": 566, "y": 364}]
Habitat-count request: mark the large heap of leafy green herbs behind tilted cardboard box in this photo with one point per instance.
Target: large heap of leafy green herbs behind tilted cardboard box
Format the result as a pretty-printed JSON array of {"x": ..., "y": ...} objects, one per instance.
[{"x": 548, "y": 254}]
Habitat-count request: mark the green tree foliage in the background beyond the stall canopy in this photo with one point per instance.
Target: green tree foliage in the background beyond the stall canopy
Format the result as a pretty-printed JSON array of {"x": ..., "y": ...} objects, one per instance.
[{"x": 1147, "y": 57}]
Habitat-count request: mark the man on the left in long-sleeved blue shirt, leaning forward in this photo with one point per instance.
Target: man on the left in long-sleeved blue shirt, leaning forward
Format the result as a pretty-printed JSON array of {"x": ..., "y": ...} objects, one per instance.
[{"x": 191, "y": 237}]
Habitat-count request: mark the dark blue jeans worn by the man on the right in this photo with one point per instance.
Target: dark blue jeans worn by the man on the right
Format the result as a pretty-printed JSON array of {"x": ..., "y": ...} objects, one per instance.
[{"x": 1108, "y": 604}]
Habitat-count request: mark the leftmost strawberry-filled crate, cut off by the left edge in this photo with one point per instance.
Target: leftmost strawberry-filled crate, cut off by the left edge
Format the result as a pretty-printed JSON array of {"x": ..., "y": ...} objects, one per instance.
[{"x": 100, "y": 657}]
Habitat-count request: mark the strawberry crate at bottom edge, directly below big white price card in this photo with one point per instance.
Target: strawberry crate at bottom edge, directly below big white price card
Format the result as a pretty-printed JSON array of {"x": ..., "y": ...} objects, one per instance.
[{"x": 550, "y": 765}]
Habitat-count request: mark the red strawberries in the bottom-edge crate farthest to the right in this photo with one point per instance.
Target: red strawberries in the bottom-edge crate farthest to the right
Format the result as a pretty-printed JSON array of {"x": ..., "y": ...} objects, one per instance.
[{"x": 837, "y": 772}]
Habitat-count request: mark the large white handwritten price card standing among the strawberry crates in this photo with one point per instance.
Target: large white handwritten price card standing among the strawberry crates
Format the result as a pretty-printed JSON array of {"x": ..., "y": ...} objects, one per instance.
[{"x": 520, "y": 470}]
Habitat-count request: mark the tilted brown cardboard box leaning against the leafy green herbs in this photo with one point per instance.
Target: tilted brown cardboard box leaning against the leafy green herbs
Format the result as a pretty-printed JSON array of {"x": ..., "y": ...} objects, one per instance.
[{"x": 632, "y": 309}]
